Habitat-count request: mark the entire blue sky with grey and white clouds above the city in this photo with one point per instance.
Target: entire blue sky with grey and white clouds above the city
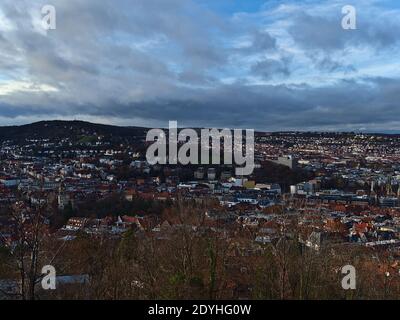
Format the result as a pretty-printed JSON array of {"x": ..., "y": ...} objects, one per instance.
[{"x": 270, "y": 65}]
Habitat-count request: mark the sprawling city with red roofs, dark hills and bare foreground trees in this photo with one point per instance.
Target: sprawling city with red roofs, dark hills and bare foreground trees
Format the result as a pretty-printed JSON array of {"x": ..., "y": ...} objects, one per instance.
[{"x": 82, "y": 198}]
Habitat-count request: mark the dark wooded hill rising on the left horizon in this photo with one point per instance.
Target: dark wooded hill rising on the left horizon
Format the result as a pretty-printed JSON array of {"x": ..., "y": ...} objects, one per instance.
[{"x": 60, "y": 129}]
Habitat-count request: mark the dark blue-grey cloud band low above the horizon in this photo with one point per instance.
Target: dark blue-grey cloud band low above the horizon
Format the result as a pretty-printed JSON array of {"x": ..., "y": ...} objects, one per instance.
[{"x": 348, "y": 105}]
